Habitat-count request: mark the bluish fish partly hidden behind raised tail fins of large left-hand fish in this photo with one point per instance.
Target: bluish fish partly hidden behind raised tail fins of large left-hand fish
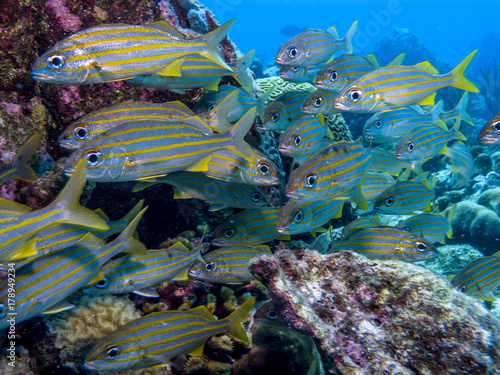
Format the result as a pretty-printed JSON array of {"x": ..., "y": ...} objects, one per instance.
[{"x": 244, "y": 102}]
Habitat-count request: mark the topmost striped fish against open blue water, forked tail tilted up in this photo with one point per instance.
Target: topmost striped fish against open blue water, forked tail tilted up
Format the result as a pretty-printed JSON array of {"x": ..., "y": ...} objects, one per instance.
[{"x": 314, "y": 46}]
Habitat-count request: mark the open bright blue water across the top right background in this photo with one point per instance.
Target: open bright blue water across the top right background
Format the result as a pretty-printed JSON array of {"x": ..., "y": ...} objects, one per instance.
[{"x": 451, "y": 29}]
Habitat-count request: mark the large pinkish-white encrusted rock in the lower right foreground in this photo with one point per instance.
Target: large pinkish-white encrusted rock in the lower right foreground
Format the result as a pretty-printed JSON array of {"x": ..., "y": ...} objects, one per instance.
[{"x": 381, "y": 317}]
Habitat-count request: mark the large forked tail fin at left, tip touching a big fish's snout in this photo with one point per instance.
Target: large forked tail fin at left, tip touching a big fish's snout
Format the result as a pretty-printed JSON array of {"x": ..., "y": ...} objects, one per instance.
[{"x": 69, "y": 201}]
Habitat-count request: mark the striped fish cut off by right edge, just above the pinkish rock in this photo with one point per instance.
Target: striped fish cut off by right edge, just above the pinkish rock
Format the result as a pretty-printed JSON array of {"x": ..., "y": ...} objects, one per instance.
[{"x": 480, "y": 278}]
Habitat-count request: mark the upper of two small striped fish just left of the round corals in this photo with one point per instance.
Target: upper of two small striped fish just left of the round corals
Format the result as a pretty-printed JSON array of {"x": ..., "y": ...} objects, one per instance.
[{"x": 405, "y": 197}]
